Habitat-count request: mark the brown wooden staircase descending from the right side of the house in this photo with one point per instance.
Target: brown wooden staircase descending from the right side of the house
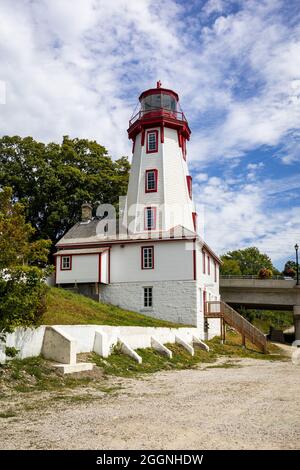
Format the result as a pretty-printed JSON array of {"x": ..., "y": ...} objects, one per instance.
[{"x": 219, "y": 309}]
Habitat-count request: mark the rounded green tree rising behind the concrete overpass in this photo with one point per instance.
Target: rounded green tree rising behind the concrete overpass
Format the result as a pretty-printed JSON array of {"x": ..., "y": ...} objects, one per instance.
[{"x": 250, "y": 260}]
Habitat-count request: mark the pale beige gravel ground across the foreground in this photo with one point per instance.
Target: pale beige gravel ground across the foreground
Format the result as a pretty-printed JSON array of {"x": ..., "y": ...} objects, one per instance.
[{"x": 253, "y": 406}]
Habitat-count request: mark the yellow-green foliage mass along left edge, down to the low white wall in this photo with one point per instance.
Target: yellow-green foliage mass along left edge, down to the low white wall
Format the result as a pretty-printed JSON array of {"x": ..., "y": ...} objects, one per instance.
[{"x": 22, "y": 267}]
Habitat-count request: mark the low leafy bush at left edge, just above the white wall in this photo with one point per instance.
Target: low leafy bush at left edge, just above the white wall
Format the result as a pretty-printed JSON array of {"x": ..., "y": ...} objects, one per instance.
[{"x": 22, "y": 297}]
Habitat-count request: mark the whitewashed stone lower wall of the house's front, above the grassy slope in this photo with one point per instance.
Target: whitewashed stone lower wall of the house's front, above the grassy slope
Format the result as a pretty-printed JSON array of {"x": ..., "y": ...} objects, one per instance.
[{"x": 174, "y": 301}]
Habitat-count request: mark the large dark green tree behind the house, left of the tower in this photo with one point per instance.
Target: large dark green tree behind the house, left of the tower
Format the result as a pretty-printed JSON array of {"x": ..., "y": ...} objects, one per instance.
[{"x": 53, "y": 180}]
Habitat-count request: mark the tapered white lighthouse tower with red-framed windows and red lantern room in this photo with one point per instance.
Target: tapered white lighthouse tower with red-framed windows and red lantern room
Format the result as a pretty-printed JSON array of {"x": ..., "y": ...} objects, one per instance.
[{"x": 159, "y": 194}]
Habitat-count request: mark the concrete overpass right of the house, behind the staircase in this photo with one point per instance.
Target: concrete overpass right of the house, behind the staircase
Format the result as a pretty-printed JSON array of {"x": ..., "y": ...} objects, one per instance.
[{"x": 272, "y": 294}]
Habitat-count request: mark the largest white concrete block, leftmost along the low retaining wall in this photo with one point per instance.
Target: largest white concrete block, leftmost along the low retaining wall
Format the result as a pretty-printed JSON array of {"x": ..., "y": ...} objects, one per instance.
[{"x": 59, "y": 346}]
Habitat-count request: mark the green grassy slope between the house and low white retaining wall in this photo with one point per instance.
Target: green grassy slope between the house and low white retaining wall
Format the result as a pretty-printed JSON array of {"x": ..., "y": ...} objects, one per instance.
[{"x": 67, "y": 308}]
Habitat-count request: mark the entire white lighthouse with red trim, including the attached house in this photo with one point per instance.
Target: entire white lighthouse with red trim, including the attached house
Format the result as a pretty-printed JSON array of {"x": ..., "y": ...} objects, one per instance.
[{"x": 154, "y": 262}]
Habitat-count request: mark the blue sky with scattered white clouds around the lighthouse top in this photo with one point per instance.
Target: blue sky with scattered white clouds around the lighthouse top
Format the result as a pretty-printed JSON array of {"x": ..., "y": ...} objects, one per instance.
[{"x": 77, "y": 68}]
